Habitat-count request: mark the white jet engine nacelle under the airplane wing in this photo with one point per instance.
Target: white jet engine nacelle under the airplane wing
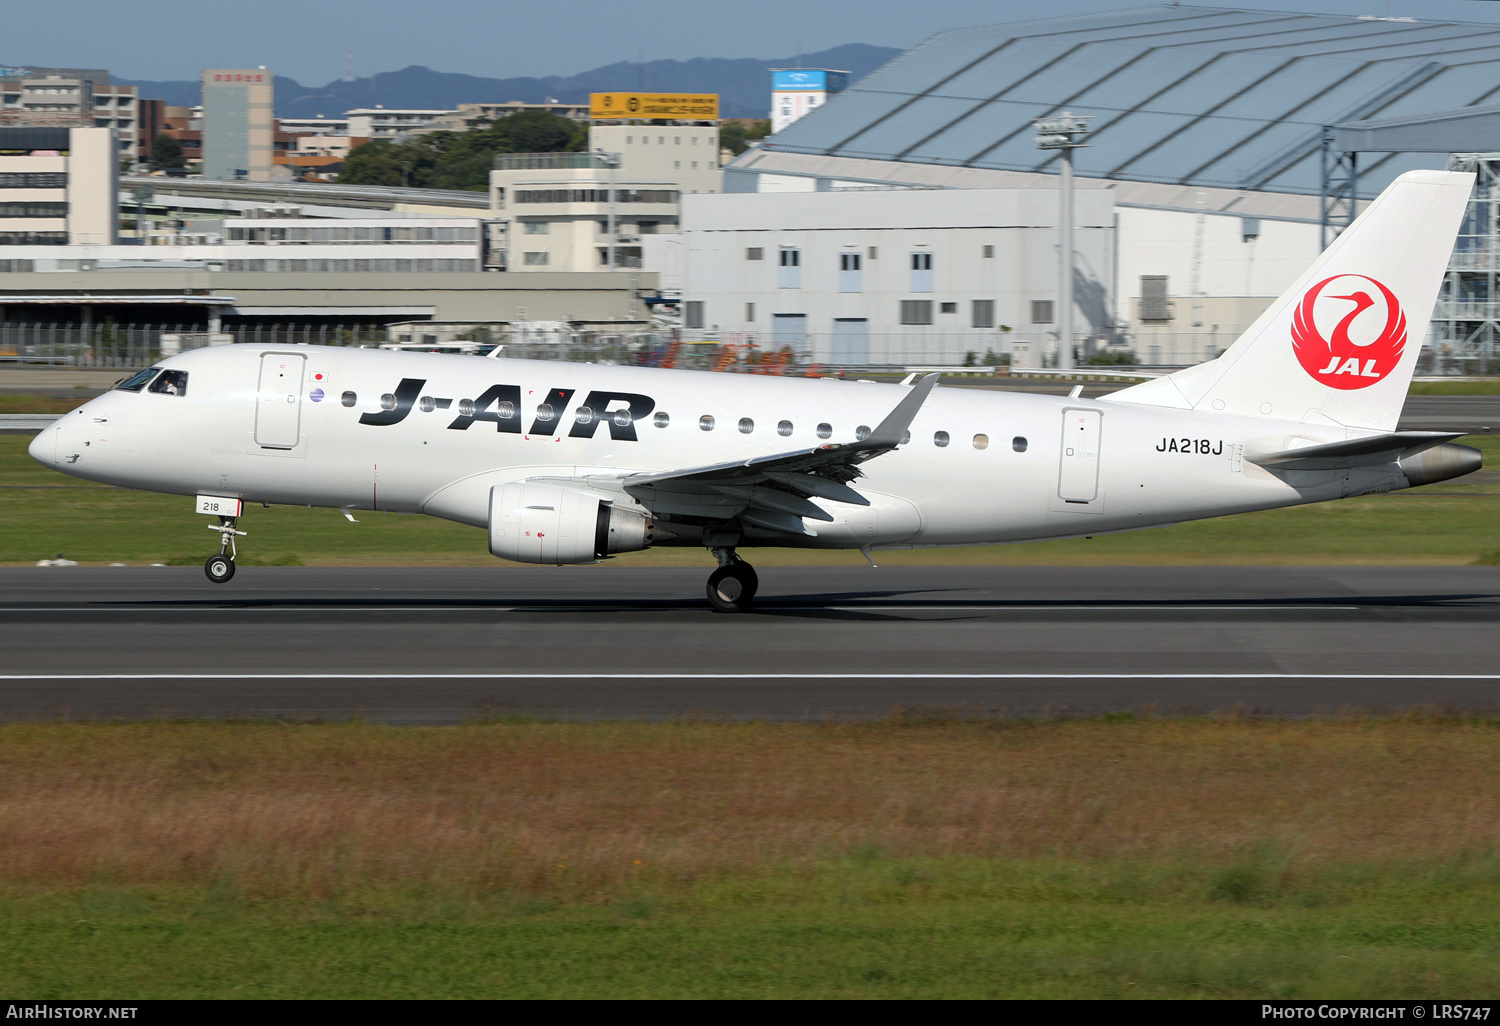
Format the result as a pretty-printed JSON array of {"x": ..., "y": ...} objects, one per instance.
[{"x": 536, "y": 523}]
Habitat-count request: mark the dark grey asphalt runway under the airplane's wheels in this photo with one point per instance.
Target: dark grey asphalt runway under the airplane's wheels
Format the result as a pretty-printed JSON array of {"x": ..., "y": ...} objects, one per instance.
[{"x": 434, "y": 646}]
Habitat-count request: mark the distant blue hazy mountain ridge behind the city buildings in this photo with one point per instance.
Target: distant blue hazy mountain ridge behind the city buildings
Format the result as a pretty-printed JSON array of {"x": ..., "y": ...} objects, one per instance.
[{"x": 745, "y": 88}]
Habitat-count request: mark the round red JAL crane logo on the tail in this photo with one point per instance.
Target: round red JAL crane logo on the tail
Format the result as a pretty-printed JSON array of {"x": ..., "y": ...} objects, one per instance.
[{"x": 1366, "y": 341}]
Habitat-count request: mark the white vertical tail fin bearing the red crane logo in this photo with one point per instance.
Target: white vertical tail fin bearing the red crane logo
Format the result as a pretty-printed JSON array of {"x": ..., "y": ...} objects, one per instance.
[{"x": 1340, "y": 346}]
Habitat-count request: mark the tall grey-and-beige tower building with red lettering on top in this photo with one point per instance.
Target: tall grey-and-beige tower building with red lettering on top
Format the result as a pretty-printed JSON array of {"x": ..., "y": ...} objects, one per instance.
[{"x": 238, "y": 125}]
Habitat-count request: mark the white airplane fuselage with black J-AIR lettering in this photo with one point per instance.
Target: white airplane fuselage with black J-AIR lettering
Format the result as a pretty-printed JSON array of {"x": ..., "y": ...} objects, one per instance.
[{"x": 1016, "y": 467}]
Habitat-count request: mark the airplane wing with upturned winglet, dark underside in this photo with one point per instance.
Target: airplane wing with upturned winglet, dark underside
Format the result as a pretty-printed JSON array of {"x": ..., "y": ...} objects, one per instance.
[{"x": 773, "y": 491}]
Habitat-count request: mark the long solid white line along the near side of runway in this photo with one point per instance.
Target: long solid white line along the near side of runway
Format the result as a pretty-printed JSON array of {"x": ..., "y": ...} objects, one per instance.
[{"x": 751, "y": 677}]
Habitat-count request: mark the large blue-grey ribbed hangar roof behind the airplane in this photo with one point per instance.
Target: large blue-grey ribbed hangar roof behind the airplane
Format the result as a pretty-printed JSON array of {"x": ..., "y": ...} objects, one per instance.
[{"x": 1180, "y": 95}]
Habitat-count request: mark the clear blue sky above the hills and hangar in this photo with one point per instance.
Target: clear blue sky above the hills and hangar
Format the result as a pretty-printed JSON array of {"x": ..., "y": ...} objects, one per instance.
[{"x": 307, "y": 40}]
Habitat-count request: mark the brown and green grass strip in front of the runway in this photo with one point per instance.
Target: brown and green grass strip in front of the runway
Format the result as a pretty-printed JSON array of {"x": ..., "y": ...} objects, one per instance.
[{"x": 1127, "y": 857}]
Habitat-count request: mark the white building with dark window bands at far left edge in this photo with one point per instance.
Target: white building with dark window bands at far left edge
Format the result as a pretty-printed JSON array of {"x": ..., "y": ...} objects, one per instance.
[{"x": 58, "y": 187}]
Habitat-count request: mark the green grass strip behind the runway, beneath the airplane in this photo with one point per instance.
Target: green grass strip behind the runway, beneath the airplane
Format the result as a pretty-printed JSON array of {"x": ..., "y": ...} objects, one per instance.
[{"x": 44, "y": 514}]
